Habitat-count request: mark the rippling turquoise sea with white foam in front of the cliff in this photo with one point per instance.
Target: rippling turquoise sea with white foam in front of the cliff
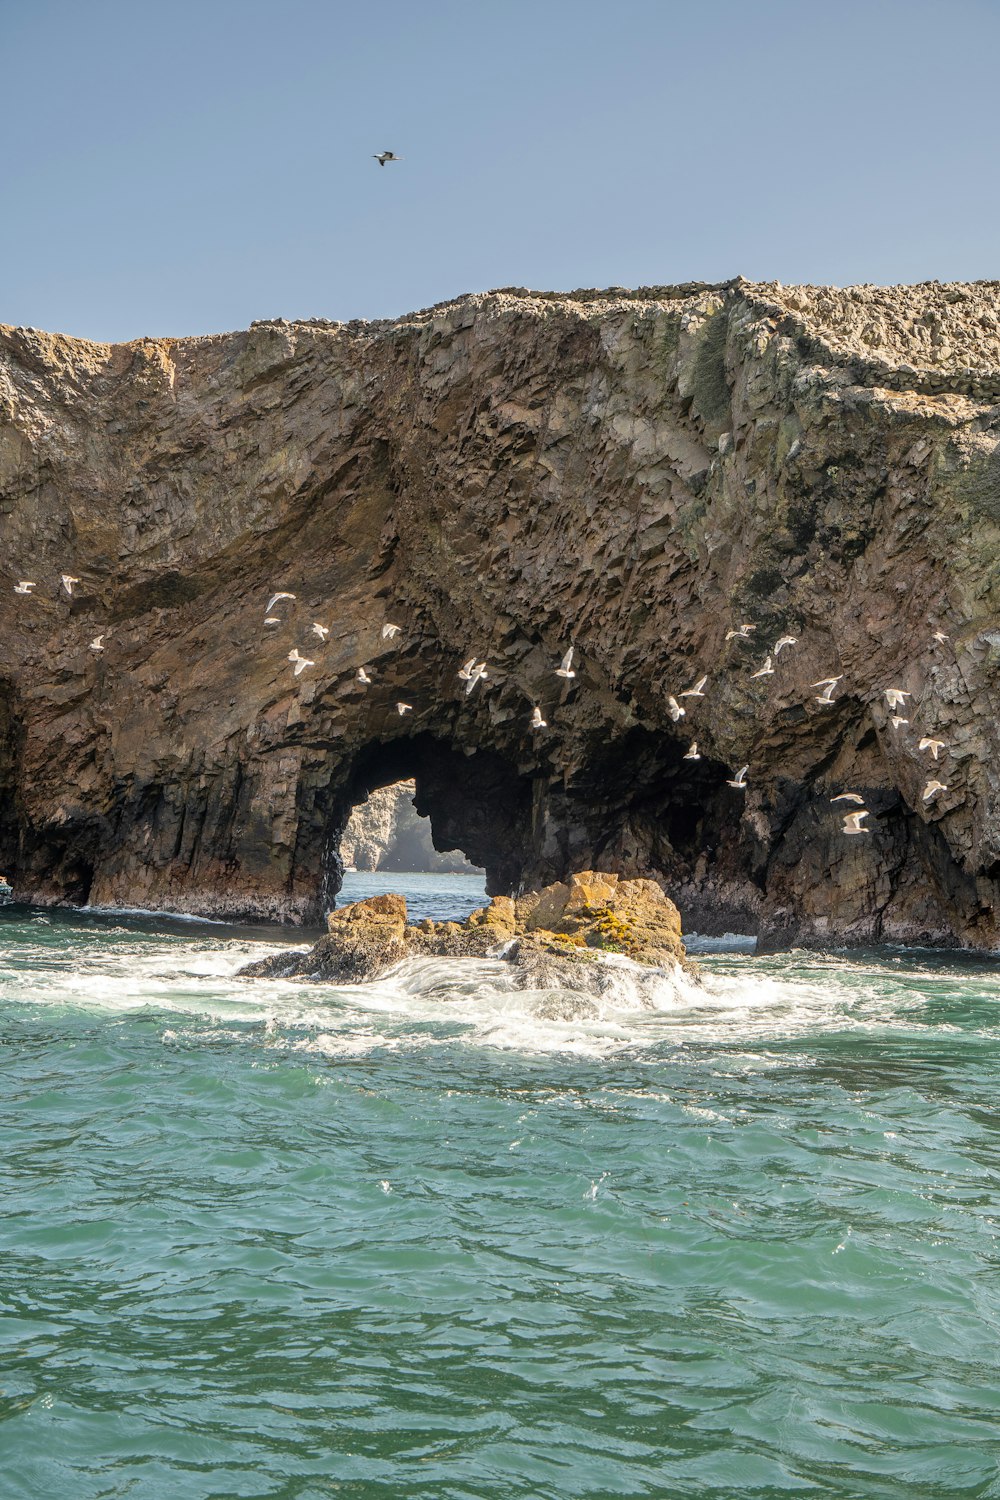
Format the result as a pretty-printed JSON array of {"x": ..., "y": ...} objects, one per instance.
[{"x": 440, "y": 1240}]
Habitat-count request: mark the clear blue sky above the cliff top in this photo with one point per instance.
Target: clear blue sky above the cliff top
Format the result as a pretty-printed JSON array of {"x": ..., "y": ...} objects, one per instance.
[{"x": 187, "y": 166}]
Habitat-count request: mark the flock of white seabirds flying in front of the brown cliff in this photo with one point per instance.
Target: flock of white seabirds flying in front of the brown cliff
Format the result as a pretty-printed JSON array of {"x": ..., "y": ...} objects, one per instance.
[{"x": 473, "y": 673}]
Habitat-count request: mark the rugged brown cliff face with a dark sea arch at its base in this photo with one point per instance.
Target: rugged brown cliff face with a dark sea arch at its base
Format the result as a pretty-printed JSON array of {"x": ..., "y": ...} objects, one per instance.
[{"x": 633, "y": 473}]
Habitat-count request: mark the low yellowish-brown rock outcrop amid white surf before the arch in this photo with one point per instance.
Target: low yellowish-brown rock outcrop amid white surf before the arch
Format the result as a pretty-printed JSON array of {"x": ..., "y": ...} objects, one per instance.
[{"x": 552, "y": 938}]
